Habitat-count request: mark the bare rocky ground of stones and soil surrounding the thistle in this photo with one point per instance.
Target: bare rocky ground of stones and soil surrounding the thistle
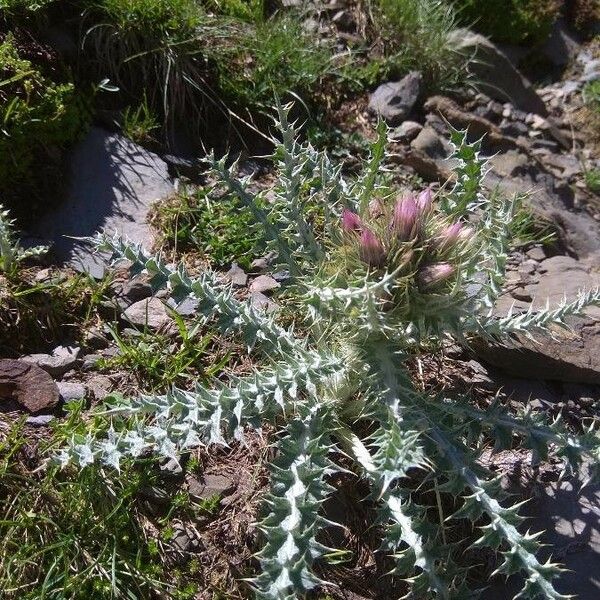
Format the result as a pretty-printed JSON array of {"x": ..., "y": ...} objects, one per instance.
[{"x": 538, "y": 143}]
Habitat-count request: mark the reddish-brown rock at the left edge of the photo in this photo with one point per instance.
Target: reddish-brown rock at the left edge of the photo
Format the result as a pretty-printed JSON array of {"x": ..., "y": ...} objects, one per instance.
[{"x": 28, "y": 384}]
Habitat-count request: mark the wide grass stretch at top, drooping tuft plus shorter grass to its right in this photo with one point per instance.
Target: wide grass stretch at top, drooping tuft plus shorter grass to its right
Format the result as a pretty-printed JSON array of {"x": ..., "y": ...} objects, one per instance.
[{"x": 191, "y": 64}]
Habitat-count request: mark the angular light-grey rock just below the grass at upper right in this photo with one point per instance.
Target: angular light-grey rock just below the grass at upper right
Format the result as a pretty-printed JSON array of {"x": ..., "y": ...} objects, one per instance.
[{"x": 394, "y": 101}]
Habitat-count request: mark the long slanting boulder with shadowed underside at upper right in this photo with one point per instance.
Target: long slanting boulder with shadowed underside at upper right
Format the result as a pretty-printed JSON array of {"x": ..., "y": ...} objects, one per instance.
[{"x": 495, "y": 73}]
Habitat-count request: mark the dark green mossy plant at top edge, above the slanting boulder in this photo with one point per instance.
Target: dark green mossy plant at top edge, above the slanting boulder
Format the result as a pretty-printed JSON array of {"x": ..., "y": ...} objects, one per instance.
[{"x": 512, "y": 21}]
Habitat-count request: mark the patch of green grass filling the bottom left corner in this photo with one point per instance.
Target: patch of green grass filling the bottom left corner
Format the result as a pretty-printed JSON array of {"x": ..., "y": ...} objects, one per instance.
[{"x": 71, "y": 536}]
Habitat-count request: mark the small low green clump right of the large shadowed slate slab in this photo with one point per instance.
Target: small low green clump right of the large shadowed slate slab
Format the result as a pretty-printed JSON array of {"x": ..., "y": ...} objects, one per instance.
[{"x": 218, "y": 228}]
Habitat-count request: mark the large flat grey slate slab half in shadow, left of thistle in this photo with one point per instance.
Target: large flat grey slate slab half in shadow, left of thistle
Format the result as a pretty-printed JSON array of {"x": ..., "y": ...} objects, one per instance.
[{"x": 113, "y": 184}]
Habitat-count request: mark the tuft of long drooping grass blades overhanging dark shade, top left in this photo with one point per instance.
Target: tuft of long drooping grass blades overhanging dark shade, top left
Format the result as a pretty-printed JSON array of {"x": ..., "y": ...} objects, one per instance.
[{"x": 153, "y": 49}]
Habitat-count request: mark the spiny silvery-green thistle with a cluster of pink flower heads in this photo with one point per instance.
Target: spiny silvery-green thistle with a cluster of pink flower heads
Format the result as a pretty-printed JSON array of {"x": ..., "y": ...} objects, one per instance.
[{"x": 376, "y": 277}]
